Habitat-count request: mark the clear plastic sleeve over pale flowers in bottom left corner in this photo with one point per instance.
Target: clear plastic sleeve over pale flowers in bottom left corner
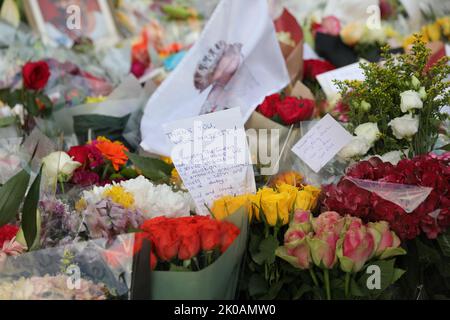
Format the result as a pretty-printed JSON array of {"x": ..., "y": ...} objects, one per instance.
[{"x": 97, "y": 269}]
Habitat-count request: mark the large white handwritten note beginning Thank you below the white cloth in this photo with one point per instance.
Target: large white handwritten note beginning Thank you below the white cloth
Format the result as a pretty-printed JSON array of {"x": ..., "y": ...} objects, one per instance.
[{"x": 211, "y": 155}]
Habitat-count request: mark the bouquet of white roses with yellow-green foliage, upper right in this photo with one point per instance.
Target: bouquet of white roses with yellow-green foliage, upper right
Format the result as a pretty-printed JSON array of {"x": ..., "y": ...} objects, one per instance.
[{"x": 397, "y": 108}]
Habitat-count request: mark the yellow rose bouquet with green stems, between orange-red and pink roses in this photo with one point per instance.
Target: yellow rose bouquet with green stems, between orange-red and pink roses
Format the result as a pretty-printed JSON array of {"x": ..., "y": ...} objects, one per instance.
[{"x": 271, "y": 209}]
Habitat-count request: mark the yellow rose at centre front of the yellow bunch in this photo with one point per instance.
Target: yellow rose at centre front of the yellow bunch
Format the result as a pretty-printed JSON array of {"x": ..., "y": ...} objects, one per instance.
[{"x": 275, "y": 206}]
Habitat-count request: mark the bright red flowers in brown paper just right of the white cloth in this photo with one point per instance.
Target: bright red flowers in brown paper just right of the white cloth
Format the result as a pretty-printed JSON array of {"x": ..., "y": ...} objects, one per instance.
[{"x": 289, "y": 109}]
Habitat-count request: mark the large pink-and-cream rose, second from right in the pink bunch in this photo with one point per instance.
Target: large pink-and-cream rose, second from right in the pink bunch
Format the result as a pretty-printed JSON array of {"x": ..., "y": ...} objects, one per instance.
[{"x": 356, "y": 245}]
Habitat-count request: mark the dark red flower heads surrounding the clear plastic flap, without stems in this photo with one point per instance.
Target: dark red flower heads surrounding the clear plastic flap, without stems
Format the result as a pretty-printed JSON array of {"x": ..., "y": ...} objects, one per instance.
[{"x": 432, "y": 216}]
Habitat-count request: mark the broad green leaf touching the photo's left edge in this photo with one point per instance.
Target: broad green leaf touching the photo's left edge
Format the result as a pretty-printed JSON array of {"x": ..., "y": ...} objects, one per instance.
[{"x": 11, "y": 196}]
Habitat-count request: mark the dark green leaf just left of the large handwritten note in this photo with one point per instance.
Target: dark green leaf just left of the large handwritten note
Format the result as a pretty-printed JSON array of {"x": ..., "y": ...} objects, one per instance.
[{"x": 153, "y": 169}]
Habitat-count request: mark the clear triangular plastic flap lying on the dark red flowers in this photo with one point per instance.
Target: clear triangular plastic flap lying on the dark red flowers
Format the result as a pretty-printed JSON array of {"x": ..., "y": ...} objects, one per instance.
[{"x": 408, "y": 197}]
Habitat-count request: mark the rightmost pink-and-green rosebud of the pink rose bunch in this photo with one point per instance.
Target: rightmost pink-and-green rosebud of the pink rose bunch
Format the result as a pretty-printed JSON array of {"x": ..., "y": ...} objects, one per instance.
[{"x": 387, "y": 244}]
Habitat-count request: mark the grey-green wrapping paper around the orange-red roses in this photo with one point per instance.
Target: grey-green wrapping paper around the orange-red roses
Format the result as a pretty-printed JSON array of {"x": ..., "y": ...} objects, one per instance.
[{"x": 218, "y": 281}]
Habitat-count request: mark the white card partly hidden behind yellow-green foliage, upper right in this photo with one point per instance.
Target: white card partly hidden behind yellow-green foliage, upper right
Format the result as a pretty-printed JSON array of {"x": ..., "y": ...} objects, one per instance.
[{"x": 350, "y": 72}]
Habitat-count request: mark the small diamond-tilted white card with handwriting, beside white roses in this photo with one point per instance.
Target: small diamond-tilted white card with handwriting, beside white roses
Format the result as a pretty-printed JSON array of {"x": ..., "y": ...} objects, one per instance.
[{"x": 321, "y": 143}]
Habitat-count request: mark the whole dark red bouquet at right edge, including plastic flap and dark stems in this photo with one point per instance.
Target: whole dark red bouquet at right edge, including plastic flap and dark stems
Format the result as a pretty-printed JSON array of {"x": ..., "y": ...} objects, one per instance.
[{"x": 413, "y": 197}]
